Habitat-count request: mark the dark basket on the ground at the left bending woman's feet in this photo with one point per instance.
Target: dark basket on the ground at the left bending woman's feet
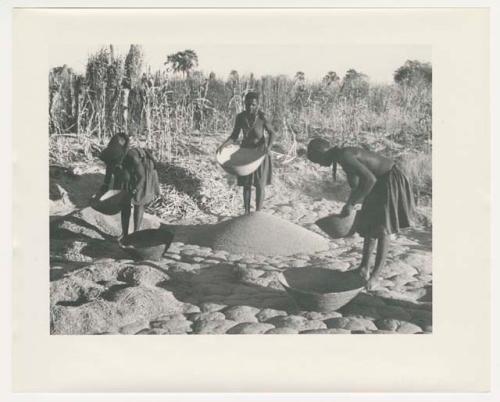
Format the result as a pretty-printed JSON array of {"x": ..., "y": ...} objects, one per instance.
[{"x": 148, "y": 244}]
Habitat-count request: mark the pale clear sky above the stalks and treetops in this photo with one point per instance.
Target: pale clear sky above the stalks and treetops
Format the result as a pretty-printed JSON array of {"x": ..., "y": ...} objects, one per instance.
[{"x": 378, "y": 62}]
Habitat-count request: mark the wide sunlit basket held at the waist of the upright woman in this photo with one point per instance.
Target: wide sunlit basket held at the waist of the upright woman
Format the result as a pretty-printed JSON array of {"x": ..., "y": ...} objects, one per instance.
[{"x": 239, "y": 161}]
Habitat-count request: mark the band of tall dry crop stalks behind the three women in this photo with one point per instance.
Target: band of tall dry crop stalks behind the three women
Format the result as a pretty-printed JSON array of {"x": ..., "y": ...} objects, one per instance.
[{"x": 165, "y": 109}]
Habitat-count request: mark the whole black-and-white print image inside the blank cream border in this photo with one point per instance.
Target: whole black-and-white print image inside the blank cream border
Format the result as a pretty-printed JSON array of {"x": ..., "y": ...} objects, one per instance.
[{"x": 240, "y": 189}]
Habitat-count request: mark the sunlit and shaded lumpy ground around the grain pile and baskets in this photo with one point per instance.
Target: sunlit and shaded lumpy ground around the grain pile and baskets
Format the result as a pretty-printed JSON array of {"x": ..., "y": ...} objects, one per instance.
[{"x": 96, "y": 288}]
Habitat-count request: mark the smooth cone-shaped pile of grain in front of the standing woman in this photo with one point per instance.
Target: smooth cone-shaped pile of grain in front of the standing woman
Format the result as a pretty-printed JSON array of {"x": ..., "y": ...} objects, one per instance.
[{"x": 261, "y": 233}]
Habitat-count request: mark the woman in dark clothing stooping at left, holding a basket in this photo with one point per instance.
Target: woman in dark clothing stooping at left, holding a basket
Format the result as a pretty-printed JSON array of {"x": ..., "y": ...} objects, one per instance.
[{"x": 132, "y": 169}]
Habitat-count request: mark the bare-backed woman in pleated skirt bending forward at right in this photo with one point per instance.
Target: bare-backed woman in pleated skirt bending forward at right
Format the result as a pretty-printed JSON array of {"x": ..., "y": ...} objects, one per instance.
[{"x": 384, "y": 190}]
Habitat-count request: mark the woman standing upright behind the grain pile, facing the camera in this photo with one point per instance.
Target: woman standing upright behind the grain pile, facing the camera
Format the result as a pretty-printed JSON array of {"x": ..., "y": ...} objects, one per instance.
[{"x": 253, "y": 123}]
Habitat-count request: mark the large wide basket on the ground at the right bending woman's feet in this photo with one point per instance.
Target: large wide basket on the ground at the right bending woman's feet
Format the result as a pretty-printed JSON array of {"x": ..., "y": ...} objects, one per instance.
[{"x": 320, "y": 289}]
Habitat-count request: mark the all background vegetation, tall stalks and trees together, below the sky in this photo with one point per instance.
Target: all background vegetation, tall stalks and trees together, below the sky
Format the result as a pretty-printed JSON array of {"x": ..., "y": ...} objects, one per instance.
[{"x": 175, "y": 110}]
